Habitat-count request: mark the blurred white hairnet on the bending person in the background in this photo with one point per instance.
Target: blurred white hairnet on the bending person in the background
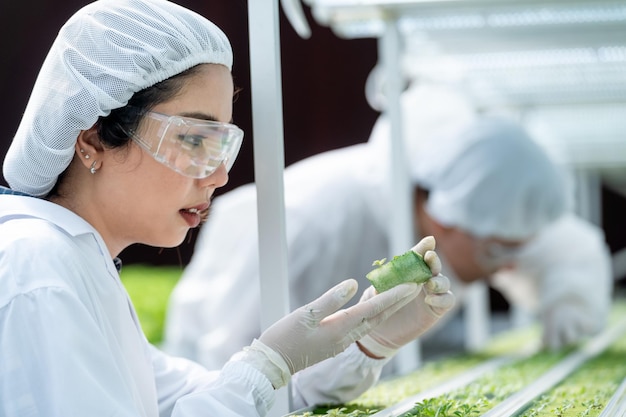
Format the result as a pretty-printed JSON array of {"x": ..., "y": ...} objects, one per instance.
[{"x": 492, "y": 180}]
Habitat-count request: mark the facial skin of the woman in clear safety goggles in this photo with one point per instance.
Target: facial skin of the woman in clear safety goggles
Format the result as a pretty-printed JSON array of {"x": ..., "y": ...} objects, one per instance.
[{"x": 138, "y": 199}]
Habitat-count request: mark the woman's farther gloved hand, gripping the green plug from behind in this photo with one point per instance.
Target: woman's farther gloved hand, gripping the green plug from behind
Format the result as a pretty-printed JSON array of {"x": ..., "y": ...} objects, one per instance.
[{"x": 417, "y": 316}]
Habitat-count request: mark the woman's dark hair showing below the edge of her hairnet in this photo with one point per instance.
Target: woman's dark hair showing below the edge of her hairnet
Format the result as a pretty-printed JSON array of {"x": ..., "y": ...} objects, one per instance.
[{"x": 111, "y": 129}]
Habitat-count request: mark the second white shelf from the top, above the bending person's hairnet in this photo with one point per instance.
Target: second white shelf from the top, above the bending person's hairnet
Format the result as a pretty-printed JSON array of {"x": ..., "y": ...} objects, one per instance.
[{"x": 551, "y": 77}]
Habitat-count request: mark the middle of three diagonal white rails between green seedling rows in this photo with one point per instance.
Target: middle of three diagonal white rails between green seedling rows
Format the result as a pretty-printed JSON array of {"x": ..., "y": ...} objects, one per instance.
[{"x": 521, "y": 399}]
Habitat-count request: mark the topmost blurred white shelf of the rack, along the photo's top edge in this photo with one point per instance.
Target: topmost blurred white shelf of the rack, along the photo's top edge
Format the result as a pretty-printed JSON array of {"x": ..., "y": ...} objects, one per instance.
[{"x": 477, "y": 21}]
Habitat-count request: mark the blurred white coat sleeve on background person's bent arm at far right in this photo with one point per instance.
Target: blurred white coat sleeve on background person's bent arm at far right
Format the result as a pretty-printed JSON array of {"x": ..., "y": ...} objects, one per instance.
[{"x": 567, "y": 262}]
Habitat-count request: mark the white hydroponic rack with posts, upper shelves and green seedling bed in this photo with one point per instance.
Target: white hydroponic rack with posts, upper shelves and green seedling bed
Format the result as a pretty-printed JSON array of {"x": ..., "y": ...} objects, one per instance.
[{"x": 560, "y": 66}]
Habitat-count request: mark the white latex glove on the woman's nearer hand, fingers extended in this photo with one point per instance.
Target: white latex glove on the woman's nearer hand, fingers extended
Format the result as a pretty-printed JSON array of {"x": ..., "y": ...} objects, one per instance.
[{"x": 320, "y": 330}]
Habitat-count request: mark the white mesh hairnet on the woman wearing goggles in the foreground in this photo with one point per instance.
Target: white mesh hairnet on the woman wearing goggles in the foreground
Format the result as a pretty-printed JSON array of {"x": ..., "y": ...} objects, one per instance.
[{"x": 105, "y": 52}]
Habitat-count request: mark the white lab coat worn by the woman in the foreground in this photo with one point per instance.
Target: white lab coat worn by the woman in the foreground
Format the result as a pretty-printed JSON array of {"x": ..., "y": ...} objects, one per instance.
[{"x": 71, "y": 344}]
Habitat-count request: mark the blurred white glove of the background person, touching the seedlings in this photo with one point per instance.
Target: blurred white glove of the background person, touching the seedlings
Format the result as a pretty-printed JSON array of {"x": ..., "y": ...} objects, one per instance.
[{"x": 567, "y": 322}]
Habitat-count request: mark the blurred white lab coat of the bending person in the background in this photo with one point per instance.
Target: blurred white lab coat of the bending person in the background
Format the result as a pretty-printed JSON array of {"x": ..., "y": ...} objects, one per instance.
[{"x": 336, "y": 209}]
